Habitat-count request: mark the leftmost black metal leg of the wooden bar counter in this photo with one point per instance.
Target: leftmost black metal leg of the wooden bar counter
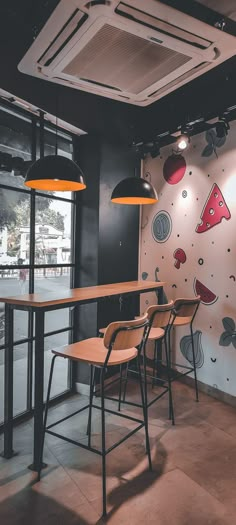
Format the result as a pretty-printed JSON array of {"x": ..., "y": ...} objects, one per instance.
[{"x": 8, "y": 384}]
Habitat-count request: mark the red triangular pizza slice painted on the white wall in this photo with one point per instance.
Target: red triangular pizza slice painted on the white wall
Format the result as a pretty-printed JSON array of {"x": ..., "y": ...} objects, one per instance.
[{"x": 215, "y": 209}]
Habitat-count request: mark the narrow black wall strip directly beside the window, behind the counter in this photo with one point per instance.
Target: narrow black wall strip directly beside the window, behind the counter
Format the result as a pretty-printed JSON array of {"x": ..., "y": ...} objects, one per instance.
[{"x": 86, "y": 255}]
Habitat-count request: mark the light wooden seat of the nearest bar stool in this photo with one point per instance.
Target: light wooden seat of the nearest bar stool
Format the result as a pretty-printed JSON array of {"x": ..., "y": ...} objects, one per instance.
[{"x": 93, "y": 351}]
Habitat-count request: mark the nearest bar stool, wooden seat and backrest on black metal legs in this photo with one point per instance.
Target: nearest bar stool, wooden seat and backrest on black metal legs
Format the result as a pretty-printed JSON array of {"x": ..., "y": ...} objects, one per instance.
[{"x": 117, "y": 347}]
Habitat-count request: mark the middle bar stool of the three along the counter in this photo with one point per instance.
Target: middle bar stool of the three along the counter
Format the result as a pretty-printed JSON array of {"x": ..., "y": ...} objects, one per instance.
[{"x": 159, "y": 317}]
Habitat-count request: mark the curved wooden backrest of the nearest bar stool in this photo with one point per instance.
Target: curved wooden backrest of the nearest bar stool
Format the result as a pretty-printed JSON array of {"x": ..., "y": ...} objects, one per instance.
[{"x": 125, "y": 334}]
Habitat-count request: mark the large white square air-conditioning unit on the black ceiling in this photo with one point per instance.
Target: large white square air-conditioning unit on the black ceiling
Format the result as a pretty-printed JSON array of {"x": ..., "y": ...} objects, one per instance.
[{"x": 134, "y": 51}]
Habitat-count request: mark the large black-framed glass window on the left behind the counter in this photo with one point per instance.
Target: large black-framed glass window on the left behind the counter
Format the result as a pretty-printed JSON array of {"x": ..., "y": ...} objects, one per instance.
[{"x": 36, "y": 251}]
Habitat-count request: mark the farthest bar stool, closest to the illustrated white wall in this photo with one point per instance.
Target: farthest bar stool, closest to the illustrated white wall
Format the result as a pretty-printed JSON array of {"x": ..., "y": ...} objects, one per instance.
[{"x": 184, "y": 313}]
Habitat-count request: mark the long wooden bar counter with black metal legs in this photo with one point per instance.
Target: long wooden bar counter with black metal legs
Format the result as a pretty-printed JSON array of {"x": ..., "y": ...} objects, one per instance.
[{"x": 39, "y": 304}]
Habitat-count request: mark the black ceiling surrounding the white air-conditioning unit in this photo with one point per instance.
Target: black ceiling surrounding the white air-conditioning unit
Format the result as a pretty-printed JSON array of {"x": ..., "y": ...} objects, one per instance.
[{"x": 208, "y": 95}]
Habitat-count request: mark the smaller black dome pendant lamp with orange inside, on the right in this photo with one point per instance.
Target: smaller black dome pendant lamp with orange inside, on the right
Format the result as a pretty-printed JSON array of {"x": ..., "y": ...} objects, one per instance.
[{"x": 134, "y": 190}]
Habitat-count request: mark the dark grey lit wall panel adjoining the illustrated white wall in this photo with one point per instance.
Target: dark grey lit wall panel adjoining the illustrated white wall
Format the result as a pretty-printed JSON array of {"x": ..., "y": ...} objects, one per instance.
[{"x": 118, "y": 232}]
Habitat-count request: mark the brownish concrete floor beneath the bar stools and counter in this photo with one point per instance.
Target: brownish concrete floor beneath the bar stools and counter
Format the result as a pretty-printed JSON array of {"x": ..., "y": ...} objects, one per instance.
[{"x": 193, "y": 481}]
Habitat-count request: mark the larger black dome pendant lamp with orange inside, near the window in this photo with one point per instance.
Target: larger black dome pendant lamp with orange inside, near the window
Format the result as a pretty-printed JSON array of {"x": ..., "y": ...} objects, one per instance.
[{"x": 55, "y": 173}]
